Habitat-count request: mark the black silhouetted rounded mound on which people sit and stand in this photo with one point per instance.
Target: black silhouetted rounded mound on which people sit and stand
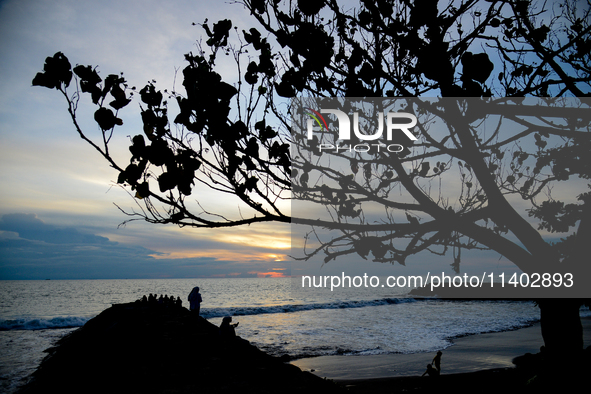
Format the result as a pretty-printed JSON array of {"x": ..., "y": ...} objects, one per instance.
[{"x": 136, "y": 348}]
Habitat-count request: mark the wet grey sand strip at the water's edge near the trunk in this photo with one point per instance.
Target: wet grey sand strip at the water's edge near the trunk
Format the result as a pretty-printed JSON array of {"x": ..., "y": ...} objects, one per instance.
[{"x": 468, "y": 354}]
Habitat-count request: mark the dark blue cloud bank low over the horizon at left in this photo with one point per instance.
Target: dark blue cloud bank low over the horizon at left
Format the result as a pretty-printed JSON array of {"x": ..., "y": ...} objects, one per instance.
[{"x": 33, "y": 249}]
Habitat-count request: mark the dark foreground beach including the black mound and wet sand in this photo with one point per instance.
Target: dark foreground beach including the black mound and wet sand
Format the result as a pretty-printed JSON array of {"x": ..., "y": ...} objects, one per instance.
[{"x": 152, "y": 348}]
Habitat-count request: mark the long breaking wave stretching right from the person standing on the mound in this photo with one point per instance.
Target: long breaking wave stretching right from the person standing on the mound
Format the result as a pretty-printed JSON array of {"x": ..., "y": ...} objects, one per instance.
[{"x": 290, "y": 308}]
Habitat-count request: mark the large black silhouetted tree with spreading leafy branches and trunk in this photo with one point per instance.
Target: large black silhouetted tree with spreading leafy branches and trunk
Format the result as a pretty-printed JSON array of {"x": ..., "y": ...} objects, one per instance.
[{"x": 233, "y": 138}]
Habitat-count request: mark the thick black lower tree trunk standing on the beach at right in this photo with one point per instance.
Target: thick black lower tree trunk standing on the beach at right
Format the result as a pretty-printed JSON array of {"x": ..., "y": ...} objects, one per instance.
[{"x": 562, "y": 330}]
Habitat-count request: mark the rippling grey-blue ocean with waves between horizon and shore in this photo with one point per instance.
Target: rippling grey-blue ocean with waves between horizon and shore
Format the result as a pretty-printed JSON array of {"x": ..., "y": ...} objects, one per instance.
[{"x": 275, "y": 315}]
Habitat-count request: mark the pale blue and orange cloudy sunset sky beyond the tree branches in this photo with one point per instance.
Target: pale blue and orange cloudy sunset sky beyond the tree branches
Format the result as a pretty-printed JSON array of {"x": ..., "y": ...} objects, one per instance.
[{"x": 58, "y": 218}]
